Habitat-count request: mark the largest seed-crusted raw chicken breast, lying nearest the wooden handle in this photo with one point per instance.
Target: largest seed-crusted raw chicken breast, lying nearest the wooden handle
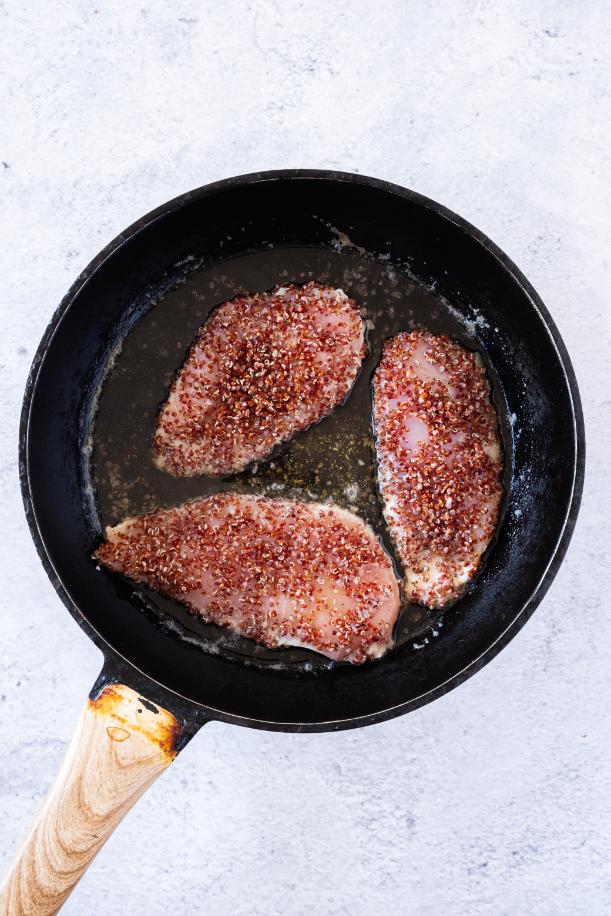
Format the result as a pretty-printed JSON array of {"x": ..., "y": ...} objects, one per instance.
[{"x": 279, "y": 572}]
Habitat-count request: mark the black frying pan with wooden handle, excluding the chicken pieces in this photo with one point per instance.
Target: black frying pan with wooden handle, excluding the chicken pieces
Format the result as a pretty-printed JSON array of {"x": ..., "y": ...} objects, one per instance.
[{"x": 99, "y": 374}]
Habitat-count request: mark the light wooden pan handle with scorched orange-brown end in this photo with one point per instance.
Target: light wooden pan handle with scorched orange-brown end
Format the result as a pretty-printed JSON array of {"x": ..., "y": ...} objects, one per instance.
[{"x": 121, "y": 745}]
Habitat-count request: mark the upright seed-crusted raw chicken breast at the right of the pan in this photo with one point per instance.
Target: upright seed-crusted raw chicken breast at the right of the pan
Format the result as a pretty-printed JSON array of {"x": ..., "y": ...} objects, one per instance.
[{"x": 439, "y": 462}]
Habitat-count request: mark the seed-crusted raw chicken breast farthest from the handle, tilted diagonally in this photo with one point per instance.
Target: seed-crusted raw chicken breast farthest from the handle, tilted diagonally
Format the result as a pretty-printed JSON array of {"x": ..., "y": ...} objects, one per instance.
[{"x": 263, "y": 367}]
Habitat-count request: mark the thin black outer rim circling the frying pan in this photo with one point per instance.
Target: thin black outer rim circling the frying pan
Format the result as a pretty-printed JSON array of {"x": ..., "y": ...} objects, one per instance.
[{"x": 115, "y": 664}]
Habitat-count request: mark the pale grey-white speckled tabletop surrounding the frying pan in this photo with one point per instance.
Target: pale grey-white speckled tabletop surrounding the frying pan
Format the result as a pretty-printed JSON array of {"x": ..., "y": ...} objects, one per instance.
[{"x": 497, "y": 798}]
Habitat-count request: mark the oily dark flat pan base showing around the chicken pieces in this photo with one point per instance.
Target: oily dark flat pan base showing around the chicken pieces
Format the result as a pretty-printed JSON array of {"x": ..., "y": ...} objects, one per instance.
[{"x": 332, "y": 461}]
